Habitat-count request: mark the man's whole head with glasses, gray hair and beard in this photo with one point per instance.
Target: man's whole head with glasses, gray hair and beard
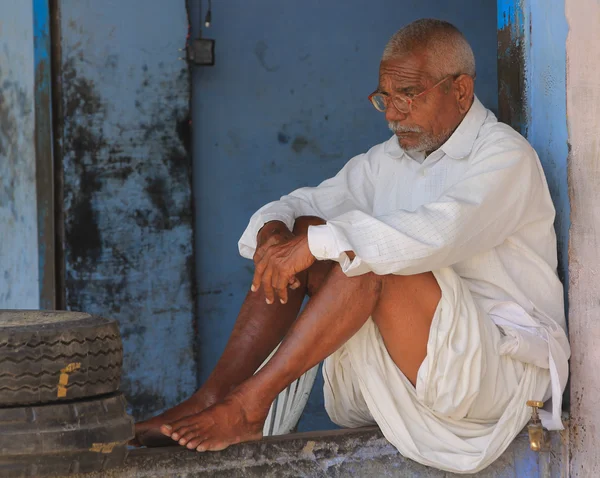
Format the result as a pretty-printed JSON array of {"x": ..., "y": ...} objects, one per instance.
[{"x": 426, "y": 83}]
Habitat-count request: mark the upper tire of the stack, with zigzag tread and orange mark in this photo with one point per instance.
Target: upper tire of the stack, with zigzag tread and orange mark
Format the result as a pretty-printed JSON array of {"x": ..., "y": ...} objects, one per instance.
[{"x": 56, "y": 356}]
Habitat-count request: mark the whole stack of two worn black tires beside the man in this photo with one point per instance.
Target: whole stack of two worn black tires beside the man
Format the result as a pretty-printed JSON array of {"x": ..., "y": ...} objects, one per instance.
[{"x": 60, "y": 409}]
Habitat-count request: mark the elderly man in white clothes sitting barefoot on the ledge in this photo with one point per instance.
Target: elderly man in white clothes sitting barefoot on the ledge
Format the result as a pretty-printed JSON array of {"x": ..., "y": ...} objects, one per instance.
[{"x": 430, "y": 263}]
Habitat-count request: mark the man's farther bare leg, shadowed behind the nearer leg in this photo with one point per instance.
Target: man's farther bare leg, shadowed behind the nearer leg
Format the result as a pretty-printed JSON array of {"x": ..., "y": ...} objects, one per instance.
[{"x": 258, "y": 330}]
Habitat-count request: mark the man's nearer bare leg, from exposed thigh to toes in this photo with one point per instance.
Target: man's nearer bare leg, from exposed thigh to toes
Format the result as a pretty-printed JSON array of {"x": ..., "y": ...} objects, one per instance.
[{"x": 402, "y": 307}]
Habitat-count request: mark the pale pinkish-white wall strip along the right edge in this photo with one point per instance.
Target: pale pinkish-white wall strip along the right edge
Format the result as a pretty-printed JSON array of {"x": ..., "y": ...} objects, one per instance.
[{"x": 583, "y": 115}]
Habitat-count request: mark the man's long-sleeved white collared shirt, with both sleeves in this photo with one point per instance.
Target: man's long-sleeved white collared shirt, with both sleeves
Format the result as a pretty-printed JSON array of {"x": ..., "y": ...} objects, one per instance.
[{"x": 479, "y": 204}]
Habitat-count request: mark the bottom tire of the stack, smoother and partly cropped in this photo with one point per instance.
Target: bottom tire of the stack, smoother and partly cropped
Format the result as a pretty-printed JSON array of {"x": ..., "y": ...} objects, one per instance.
[{"x": 64, "y": 438}]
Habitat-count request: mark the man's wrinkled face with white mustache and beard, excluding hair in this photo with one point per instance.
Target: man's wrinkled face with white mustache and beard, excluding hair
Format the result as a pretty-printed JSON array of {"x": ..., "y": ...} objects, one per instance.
[{"x": 434, "y": 115}]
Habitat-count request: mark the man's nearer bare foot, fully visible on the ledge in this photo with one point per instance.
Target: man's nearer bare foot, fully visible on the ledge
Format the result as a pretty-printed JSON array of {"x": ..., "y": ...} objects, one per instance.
[{"x": 234, "y": 420}]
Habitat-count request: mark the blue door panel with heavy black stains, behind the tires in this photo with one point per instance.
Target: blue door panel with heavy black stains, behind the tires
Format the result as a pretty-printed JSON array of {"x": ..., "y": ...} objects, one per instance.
[{"x": 127, "y": 187}]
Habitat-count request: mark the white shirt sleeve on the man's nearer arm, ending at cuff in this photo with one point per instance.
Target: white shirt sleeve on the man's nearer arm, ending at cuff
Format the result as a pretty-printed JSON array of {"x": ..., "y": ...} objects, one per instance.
[{"x": 499, "y": 193}]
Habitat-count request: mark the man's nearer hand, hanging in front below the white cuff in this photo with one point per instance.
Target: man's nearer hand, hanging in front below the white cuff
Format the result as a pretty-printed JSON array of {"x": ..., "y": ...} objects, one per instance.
[{"x": 278, "y": 265}]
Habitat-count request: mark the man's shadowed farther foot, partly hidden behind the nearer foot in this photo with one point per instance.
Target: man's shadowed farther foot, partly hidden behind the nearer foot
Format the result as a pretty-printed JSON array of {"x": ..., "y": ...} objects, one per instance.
[{"x": 147, "y": 433}]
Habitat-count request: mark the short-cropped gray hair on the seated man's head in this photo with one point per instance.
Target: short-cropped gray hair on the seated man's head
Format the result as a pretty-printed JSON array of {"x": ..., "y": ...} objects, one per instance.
[{"x": 447, "y": 49}]
